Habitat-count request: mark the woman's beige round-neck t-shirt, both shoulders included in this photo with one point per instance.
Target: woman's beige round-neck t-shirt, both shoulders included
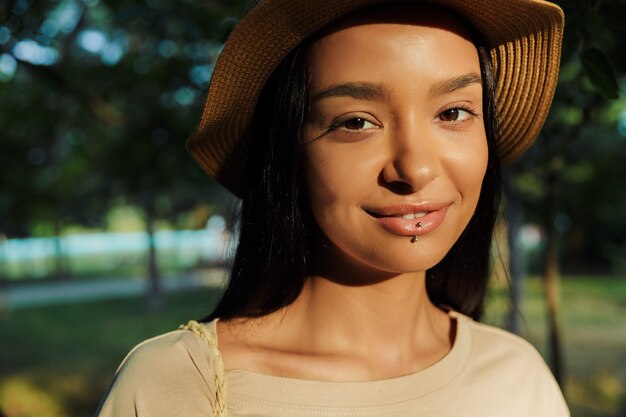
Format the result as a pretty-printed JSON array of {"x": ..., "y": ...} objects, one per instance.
[{"x": 487, "y": 373}]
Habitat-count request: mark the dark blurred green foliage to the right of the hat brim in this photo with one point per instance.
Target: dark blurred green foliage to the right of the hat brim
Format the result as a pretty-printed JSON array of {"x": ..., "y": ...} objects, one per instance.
[{"x": 583, "y": 143}]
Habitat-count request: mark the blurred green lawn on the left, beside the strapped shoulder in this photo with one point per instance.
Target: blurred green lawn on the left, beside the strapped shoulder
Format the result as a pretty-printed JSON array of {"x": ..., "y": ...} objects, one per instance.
[{"x": 57, "y": 361}]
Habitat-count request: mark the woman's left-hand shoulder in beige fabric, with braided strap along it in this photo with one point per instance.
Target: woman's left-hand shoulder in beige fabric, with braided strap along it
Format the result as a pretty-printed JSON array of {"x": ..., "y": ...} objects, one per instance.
[{"x": 171, "y": 374}]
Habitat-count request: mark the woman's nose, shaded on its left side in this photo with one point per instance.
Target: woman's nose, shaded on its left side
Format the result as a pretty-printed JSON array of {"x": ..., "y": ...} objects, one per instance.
[{"x": 413, "y": 158}]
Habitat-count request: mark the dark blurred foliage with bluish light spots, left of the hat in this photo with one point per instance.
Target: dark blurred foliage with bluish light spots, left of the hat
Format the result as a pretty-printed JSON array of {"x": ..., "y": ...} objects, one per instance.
[{"x": 96, "y": 101}]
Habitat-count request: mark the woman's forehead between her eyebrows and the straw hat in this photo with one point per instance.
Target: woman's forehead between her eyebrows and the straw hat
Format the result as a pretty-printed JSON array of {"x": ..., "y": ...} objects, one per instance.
[{"x": 401, "y": 46}]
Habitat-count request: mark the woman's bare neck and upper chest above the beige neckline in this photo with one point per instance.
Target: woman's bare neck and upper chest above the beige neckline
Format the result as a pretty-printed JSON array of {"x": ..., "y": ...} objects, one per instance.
[{"x": 343, "y": 331}]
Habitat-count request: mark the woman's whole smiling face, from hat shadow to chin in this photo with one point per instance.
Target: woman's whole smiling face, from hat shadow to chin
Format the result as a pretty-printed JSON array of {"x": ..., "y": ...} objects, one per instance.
[{"x": 394, "y": 144}]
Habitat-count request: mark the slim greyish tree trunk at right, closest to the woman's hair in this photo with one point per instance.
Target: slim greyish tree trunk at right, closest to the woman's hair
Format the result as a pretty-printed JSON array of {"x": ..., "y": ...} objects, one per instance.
[{"x": 514, "y": 220}]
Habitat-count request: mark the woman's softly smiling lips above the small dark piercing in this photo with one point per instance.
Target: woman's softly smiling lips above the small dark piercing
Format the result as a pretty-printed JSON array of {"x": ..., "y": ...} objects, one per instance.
[{"x": 410, "y": 219}]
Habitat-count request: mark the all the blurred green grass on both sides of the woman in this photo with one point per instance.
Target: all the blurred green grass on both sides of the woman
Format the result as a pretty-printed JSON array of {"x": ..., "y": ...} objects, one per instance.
[{"x": 57, "y": 361}]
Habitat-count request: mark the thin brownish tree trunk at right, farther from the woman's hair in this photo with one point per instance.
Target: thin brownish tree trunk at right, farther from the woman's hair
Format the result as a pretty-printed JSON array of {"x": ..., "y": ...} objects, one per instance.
[{"x": 551, "y": 270}]
